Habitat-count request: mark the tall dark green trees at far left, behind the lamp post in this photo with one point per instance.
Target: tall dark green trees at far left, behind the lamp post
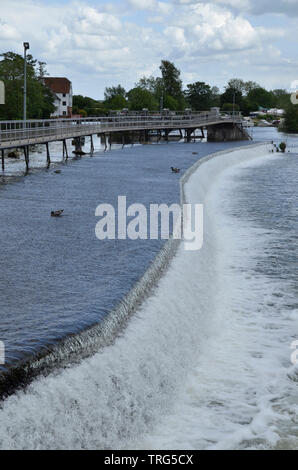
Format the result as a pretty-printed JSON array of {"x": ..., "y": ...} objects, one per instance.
[{"x": 40, "y": 100}]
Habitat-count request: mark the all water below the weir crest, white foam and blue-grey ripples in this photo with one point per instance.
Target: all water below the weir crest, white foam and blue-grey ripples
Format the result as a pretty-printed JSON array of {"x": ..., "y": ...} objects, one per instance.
[{"x": 205, "y": 361}]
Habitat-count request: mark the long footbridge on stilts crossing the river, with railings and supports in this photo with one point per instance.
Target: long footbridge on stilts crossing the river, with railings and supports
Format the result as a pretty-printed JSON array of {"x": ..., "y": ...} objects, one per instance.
[{"x": 23, "y": 134}]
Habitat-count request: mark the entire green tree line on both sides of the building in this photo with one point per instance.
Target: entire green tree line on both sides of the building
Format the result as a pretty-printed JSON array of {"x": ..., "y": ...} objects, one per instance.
[{"x": 152, "y": 93}]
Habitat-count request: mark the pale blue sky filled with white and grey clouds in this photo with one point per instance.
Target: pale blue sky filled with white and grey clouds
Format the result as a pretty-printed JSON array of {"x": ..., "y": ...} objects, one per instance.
[{"x": 105, "y": 43}]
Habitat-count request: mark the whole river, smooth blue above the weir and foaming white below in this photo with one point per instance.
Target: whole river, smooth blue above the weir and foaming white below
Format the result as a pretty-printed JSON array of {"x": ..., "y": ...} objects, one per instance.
[{"x": 205, "y": 360}]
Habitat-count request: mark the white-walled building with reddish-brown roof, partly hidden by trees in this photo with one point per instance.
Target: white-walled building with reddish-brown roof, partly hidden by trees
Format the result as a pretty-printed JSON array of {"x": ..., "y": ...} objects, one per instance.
[{"x": 62, "y": 89}]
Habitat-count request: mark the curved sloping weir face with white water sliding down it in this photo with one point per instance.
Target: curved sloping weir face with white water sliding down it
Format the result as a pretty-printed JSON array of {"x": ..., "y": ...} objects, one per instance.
[{"x": 146, "y": 365}]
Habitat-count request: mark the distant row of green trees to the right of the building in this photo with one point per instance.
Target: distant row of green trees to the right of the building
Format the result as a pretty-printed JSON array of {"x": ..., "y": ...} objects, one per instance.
[{"x": 167, "y": 91}]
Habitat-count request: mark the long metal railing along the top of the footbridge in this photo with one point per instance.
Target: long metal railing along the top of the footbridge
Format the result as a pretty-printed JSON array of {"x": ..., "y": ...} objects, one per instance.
[{"x": 55, "y": 129}]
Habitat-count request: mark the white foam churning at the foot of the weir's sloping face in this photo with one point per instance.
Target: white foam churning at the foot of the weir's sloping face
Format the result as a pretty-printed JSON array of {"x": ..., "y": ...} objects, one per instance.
[{"x": 242, "y": 390}]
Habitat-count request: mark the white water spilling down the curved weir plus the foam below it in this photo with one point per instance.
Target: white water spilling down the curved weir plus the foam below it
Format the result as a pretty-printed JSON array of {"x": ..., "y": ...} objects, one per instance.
[{"x": 199, "y": 365}]
